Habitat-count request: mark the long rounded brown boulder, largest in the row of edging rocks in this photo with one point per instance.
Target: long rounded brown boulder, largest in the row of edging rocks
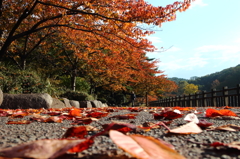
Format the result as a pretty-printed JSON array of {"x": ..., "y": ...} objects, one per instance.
[{"x": 26, "y": 101}]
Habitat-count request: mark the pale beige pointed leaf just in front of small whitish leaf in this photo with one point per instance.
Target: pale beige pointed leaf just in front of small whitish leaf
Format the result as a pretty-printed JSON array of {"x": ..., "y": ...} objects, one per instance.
[{"x": 189, "y": 128}]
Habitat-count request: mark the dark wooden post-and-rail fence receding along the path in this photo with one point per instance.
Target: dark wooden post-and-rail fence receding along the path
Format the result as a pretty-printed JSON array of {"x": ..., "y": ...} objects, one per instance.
[{"x": 225, "y": 97}]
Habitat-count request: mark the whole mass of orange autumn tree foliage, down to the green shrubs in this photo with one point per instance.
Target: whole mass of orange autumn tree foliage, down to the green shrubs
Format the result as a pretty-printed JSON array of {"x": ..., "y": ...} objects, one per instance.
[{"x": 104, "y": 37}]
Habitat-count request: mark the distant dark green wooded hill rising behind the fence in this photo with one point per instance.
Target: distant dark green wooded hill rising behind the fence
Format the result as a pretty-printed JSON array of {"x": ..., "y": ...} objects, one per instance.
[{"x": 228, "y": 77}]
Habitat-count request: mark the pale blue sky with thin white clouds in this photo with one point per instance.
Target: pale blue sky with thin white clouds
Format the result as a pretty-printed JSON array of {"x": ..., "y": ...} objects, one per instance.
[{"x": 204, "y": 39}]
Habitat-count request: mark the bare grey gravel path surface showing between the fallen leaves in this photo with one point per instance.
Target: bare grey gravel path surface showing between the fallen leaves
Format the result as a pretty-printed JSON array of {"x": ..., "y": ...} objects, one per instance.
[{"x": 103, "y": 147}]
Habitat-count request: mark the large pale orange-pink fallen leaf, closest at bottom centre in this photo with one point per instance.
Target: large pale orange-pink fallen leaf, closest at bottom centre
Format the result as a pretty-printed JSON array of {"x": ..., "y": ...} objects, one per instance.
[{"x": 144, "y": 146}]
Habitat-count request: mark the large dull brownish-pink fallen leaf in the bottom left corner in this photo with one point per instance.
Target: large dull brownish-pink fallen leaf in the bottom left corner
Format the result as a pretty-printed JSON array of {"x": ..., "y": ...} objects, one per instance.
[{"x": 51, "y": 148}]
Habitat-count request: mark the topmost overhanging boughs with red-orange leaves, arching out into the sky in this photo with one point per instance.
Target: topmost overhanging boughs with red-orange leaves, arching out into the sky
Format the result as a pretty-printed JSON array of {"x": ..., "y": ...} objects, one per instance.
[{"x": 104, "y": 18}]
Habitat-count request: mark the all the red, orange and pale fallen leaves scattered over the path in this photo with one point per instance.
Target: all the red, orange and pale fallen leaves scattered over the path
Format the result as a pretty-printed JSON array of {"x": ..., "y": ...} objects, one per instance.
[{"x": 76, "y": 138}]
